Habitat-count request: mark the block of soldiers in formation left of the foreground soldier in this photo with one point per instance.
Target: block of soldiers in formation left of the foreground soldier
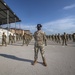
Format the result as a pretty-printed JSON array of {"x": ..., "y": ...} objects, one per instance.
[{"x": 26, "y": 38}]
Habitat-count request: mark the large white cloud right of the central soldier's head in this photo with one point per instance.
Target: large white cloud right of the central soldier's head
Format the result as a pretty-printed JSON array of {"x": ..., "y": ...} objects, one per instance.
[{"x": 60, "y": 26}]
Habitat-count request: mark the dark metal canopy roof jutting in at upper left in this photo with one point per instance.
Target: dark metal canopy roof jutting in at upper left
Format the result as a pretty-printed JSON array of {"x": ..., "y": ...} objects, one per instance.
[{"x": 6, "y": 14}]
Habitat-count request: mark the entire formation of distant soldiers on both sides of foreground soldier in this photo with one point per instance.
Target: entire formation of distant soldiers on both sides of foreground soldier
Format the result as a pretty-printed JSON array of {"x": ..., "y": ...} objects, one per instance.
[{"x": 26, "y": 38}]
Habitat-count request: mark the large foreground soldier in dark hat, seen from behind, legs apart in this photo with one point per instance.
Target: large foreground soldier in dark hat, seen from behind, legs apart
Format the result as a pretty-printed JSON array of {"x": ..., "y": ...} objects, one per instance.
[{"x": 39, "y": 37}]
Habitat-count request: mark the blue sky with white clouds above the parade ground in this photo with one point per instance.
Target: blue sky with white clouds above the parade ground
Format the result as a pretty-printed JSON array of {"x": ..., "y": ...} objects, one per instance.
[{"x": 56, "y": 16}]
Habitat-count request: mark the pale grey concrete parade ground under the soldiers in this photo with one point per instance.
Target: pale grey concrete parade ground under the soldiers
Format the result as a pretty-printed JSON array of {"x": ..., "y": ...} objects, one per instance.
[{"x": 16, "y": 59}]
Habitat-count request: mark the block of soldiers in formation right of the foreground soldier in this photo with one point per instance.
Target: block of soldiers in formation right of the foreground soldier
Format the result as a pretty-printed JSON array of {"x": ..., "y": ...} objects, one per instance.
[{"x": 61, "y": 38}]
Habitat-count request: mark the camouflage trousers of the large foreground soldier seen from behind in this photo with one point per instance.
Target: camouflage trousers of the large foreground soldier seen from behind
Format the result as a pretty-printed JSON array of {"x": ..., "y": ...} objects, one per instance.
[{"x": 36, "y": 50}]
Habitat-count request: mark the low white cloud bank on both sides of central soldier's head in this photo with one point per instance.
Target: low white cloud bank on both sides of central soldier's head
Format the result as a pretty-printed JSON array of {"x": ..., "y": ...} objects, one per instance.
[{"x": 58, "y": 26}]
